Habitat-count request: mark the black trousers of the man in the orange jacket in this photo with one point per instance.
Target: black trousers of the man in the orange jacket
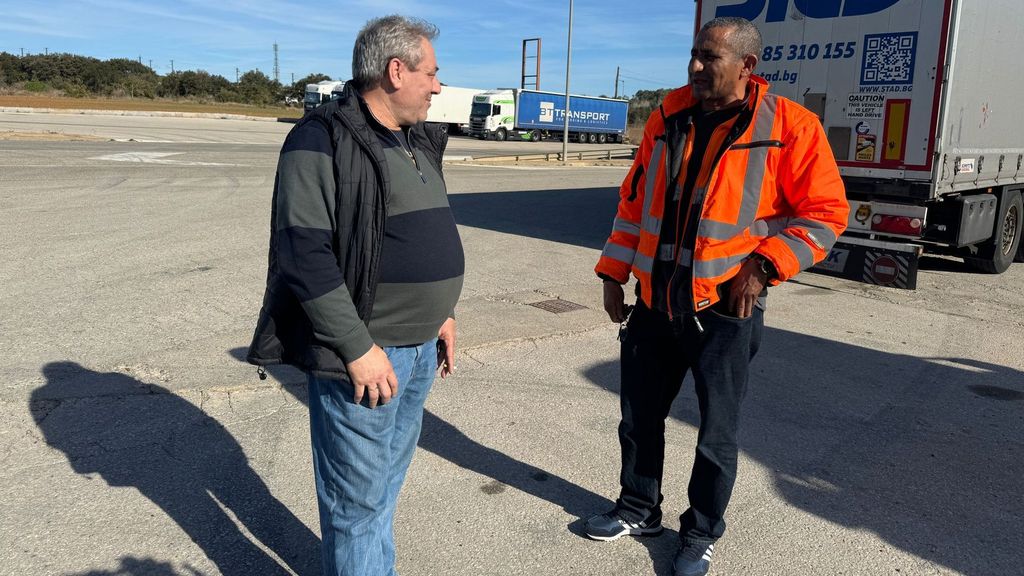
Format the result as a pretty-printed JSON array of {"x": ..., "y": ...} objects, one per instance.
[{"x": 657, "y": 353}]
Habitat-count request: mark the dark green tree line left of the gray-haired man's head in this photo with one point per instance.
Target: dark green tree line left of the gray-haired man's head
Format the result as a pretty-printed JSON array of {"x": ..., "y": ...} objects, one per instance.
[{"x": 83, "y": 77}]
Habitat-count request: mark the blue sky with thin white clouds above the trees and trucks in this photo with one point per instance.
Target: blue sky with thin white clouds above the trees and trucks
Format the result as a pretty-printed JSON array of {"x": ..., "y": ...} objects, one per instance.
[{"x": 481, "y": 45}]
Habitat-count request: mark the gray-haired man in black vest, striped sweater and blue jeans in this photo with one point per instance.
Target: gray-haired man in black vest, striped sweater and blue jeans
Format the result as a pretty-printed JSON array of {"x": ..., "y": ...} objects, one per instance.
[{"x": 366, "y": 310}]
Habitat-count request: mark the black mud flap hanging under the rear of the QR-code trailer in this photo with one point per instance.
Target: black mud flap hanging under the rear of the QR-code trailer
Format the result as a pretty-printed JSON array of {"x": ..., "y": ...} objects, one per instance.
[{"x": 873, "y": 262}]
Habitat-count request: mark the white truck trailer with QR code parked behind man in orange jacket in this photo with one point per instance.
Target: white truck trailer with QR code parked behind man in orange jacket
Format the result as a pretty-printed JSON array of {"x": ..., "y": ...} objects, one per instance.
[{"x": 921, "y": 103}]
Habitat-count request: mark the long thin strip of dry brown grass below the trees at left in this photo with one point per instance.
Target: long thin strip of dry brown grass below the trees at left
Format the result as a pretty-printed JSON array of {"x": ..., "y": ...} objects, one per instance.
[{"x": 64, "y": 103}]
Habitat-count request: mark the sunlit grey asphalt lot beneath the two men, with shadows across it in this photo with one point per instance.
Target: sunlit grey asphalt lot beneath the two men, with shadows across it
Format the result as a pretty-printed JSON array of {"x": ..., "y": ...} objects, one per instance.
[{"x": 884, "y": 430}]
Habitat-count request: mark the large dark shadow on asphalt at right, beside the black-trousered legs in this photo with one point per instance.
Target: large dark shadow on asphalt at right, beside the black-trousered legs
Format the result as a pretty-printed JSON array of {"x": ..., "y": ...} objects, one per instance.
[{"x": 926, "y": 452}]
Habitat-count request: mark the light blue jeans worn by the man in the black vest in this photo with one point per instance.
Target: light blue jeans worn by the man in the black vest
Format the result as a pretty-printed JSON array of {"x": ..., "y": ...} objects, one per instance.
[{"x": 360, "y": 462}]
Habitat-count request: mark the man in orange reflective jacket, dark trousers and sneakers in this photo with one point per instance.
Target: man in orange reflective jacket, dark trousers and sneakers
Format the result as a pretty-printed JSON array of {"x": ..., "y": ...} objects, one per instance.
[{"x": 734, "y": 190}]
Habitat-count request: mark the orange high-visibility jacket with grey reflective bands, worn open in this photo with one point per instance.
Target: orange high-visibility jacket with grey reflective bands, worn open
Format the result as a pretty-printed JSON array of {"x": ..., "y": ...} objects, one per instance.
[{"x": 776, "y": 190}]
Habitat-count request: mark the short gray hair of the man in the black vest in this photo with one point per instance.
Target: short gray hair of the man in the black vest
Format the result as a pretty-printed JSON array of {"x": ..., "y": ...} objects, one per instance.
[{"x": 387, "y": 38}]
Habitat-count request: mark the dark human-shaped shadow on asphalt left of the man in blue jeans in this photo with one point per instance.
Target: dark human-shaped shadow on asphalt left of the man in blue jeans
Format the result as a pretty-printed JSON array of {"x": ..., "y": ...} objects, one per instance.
[{"x": 139, "y": 435}]
